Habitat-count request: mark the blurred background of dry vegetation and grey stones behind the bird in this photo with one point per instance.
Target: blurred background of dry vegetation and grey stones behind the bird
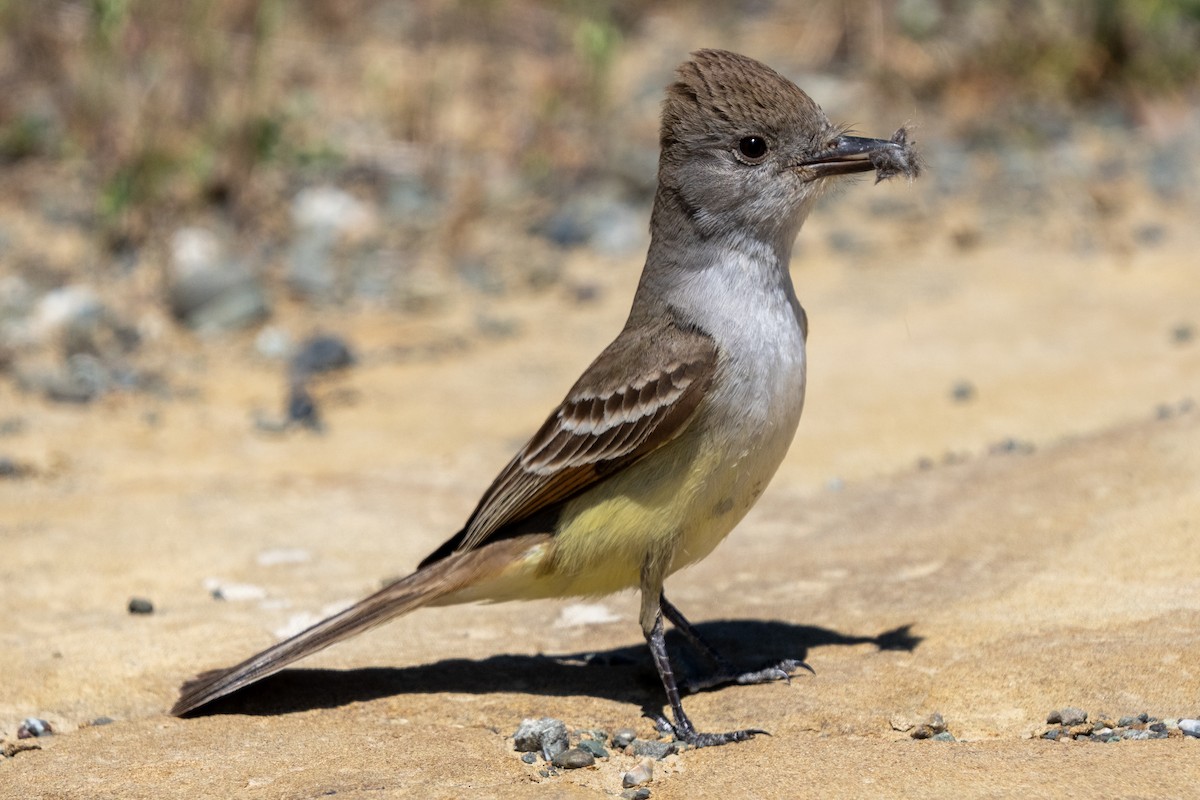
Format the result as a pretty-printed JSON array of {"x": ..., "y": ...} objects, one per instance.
[{"x": 236, "y": 176}]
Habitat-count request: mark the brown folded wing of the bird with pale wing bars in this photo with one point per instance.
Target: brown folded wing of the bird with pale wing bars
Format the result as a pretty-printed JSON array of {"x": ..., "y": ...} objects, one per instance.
[{"x": 641, "y": 393}]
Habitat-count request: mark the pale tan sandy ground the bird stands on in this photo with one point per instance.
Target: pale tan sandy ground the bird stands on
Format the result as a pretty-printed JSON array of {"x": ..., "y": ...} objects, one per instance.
[{"x": 989, "y": 587}]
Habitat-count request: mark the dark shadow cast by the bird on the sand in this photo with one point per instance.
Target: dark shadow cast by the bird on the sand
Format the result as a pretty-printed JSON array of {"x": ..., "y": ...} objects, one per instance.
[{"x": 623, "y": 675}]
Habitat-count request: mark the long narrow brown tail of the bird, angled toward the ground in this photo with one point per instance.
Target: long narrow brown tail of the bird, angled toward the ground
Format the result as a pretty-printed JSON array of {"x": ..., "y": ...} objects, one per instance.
[{"x": 422, "y": 588}]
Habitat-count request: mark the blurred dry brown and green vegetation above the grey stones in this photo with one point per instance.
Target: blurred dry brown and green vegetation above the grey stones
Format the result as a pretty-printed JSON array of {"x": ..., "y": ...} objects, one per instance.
[{"x": 159, "y": 112}]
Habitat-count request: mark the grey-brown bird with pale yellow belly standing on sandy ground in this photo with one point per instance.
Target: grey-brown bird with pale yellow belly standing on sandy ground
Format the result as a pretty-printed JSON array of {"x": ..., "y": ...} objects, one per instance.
[{"x": 673, "y": 434}]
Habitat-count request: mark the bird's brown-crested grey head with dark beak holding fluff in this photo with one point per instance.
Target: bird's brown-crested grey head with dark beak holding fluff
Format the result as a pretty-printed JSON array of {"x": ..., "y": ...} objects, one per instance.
[{"x": 746, "y": 152}]
